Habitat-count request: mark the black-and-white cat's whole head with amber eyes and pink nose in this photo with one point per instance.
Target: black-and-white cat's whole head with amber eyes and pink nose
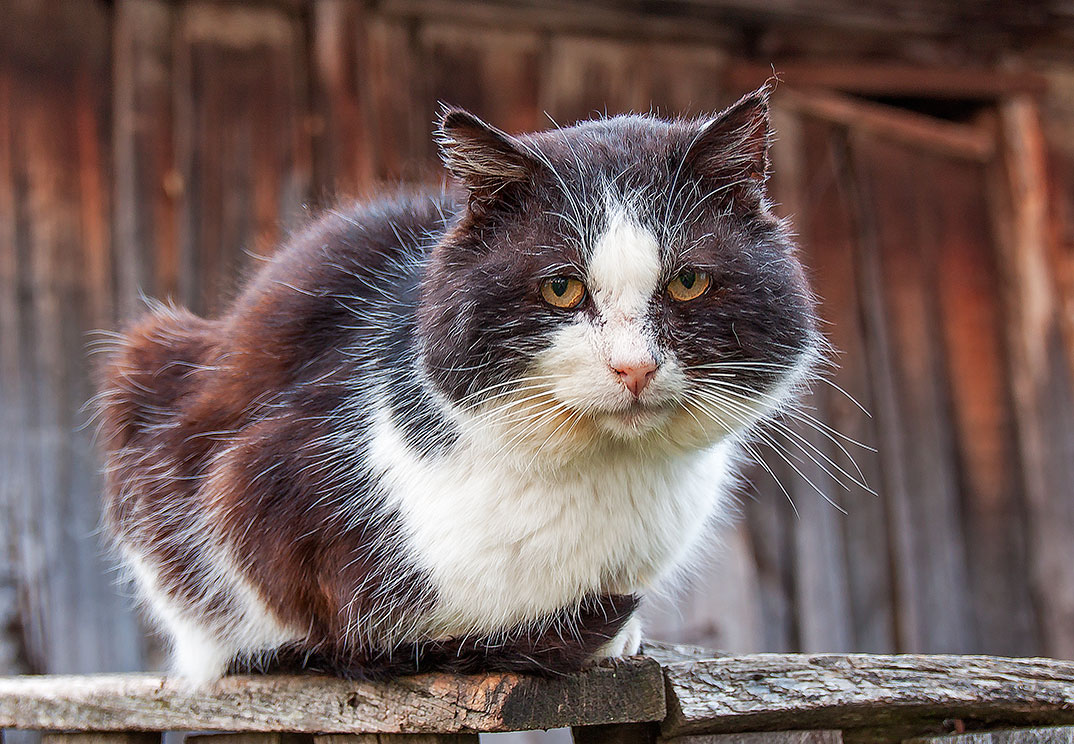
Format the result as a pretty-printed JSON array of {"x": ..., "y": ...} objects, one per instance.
[{"x": 621, "y": 280}]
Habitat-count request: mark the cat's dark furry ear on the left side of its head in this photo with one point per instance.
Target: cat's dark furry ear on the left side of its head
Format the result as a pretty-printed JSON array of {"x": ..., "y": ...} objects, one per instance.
[{"x": 487, "y": 161}]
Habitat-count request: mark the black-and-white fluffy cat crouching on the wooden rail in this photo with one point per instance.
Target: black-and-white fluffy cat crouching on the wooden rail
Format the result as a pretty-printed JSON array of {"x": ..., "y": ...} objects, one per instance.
[{"x": 465, "y": 429}]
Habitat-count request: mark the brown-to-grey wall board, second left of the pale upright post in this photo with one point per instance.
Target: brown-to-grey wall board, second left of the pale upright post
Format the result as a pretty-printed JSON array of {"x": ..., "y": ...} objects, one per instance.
[{"x": 903, "y": 230}]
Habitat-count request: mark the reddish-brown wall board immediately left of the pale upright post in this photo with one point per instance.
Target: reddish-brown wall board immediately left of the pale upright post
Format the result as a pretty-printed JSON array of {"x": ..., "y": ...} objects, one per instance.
[{"x": 993, "y": 497}]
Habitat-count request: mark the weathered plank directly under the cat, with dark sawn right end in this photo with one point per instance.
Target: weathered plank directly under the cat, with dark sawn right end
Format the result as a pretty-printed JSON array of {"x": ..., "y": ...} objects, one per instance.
[{"x": 626, "y": 692}]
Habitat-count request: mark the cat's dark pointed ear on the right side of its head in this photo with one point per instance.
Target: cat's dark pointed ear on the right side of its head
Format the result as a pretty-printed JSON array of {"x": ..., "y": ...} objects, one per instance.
[{"x": 733, "y": 148}]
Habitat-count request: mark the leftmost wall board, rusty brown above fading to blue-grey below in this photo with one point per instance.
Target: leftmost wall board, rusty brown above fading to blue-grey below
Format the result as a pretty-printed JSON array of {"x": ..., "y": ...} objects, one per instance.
[{"x": 60, "y": 266}]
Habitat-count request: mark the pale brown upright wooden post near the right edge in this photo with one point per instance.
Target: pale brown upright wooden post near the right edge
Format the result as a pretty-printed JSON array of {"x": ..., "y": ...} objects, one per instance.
[{"x": 1042, "y": 380}]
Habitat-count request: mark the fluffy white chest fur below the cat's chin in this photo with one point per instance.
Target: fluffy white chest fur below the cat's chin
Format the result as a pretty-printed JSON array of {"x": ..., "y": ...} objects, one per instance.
[{"x": 506, "y": 545}]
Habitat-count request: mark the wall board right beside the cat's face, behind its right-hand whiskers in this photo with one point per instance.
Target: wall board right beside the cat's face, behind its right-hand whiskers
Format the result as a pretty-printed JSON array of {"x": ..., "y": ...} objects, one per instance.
[{"x": 846, "y": 602}]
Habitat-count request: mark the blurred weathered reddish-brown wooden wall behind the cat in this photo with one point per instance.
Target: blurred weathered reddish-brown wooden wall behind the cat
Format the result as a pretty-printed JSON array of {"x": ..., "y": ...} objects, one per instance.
[{"x": 925, "y": 153}]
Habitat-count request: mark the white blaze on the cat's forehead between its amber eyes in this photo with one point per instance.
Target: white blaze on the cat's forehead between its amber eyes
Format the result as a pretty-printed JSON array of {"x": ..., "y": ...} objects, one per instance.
[{"x": 626, "y": 267}]
